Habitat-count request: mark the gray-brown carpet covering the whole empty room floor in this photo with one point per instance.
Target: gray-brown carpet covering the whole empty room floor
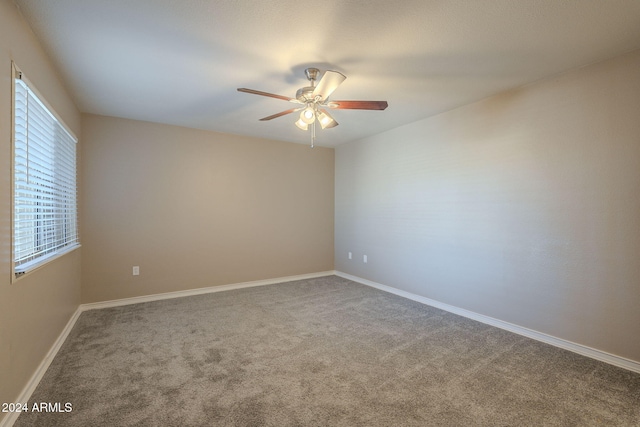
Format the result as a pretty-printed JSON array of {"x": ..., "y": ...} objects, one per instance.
[{"x": 319, "y": 352}]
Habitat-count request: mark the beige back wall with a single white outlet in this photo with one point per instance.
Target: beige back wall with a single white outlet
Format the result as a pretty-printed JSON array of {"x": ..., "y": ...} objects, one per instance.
[{"x": 197, "y": 208}]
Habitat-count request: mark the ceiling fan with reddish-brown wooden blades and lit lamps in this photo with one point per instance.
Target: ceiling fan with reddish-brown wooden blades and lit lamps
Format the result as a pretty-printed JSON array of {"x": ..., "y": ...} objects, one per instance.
[{"x": 313, "y": 100}]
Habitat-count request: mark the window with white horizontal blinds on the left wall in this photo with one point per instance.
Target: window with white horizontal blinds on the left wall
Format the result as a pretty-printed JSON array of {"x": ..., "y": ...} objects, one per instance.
[{"x": 44, "y": 181}]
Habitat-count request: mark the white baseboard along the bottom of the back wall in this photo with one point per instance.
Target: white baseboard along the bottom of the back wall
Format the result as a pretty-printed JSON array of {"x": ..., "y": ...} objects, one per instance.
[{"x": 200, "y": 291}]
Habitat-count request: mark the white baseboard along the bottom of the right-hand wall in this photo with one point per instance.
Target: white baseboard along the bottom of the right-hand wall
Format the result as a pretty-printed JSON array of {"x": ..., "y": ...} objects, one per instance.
[{"x": 557, "y": 342}]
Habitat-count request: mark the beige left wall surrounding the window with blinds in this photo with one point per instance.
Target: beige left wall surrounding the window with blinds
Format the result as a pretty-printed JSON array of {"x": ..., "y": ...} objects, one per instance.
[{"x": 34, "y": 310}]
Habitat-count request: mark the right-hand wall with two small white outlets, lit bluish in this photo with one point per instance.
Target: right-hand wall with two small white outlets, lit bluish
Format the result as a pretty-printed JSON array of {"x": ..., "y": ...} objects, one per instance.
[{"x": 524, "y": 207}]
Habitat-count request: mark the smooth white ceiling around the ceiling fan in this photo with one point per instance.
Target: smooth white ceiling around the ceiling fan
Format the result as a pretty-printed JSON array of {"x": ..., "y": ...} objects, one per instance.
[{"x": 180, "y": 62}]
